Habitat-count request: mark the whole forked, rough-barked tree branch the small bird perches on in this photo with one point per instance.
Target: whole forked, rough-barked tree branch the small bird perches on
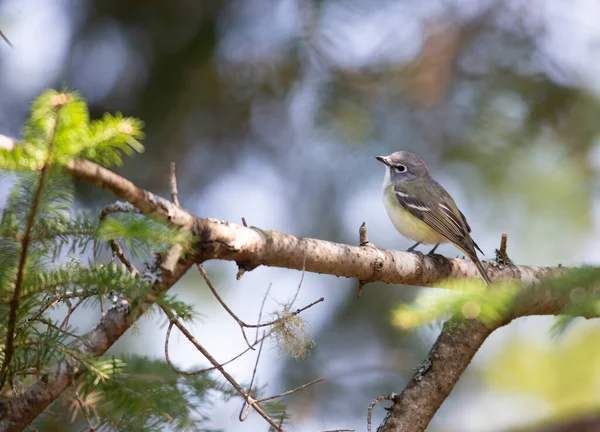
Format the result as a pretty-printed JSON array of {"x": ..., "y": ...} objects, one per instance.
[{"x": 251, "y": 247}]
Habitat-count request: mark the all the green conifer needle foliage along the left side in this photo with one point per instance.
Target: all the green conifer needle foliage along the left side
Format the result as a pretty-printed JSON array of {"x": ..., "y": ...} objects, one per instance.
[{"x": 116, "y": 394}]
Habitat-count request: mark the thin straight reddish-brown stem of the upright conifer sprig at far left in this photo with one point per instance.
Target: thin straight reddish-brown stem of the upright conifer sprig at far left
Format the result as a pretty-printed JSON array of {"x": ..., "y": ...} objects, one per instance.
[{"x": 14, "y": 303}]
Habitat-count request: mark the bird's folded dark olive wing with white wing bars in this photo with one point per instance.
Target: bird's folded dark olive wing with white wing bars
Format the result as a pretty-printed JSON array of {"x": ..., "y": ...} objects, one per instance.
[{"x": 438, "y": 210}]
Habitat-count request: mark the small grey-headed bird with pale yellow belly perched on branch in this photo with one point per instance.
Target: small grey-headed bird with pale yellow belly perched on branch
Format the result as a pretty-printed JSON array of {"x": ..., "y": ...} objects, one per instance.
[{"x": 422, "y": 210}]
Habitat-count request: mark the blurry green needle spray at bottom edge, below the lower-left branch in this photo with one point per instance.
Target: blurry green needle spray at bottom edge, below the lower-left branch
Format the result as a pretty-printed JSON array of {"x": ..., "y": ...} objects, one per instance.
[{"x": 141, "y": 394}]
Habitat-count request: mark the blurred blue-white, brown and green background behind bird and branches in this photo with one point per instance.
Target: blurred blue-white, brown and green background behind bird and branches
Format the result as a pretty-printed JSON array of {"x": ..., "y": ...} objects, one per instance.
[{"x": 274, "y": 110}]
